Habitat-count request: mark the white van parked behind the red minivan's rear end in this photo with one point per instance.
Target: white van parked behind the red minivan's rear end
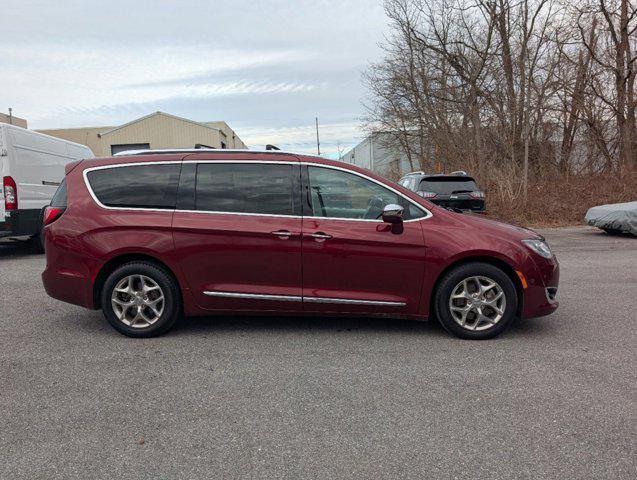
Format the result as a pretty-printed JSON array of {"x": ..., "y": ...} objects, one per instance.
[{"x": 31, "y": 168}]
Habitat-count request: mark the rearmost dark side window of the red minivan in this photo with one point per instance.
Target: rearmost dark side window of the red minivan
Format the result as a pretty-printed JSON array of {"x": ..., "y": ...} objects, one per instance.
[{"x": 137, "y": 186}]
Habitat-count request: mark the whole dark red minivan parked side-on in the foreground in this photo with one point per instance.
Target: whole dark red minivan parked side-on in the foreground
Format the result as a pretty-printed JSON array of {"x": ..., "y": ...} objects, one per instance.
[{"x": 149, "y": 237}]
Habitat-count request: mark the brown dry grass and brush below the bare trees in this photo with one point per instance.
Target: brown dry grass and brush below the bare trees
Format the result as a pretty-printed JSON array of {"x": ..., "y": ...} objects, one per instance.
[{"x": 555, "y": 202}]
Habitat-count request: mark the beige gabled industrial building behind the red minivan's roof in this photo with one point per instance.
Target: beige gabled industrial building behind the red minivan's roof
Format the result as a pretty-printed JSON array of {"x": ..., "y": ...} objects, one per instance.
[{"x": 158, "y": 130}]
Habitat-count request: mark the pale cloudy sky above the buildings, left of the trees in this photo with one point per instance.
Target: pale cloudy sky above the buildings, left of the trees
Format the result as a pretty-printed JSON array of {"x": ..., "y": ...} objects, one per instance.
[{"x": 266, "y": 67}]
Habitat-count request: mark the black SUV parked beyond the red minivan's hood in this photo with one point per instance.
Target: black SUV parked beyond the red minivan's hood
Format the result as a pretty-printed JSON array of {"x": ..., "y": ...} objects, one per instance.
[{"x": 453, "y": 190}]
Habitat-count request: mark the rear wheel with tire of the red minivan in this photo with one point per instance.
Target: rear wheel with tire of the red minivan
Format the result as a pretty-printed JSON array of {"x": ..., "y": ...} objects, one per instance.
[{"x": 139, "y": 286}]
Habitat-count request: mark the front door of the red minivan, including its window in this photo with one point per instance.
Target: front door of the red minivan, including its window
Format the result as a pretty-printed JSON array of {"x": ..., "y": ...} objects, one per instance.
[{"x": 352, "y": 260}]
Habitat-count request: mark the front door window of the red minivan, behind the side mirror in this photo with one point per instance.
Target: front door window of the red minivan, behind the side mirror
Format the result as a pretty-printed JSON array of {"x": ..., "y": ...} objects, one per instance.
[{"x": 339, "y": 194}]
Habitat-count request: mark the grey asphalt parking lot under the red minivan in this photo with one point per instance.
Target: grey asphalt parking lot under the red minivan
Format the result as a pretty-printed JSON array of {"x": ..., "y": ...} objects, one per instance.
[{"x": 553, "y": 397}]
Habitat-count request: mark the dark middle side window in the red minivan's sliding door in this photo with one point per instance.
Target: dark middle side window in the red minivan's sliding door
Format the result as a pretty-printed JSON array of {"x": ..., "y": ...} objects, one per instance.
[{"x": 265, "y": 189}]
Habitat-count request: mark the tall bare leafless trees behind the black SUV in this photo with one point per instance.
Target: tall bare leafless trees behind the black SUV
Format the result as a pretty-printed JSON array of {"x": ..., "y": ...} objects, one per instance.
[{"x": 511, "y": 86}]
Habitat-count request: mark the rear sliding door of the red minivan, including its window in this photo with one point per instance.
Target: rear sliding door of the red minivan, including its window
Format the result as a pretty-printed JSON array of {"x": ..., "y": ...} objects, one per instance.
[{"x": 237, "y": 232}]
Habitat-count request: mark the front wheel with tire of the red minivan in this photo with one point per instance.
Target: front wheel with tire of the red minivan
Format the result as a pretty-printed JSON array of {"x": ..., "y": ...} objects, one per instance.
[{"x": 465, "y": 310}]
